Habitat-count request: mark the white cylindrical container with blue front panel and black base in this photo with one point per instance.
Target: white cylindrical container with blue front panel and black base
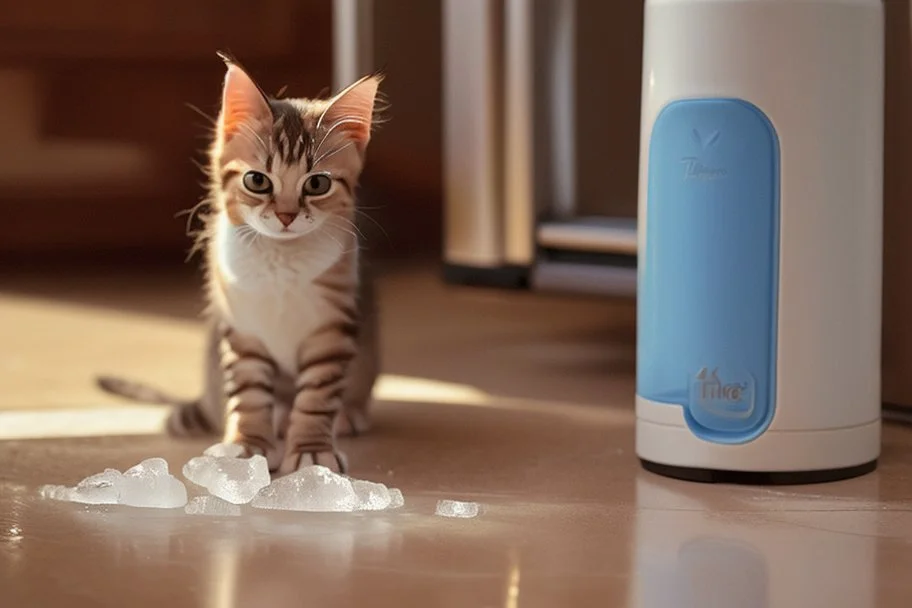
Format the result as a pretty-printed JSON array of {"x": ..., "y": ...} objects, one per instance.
[{"x": 760, "y": 222}]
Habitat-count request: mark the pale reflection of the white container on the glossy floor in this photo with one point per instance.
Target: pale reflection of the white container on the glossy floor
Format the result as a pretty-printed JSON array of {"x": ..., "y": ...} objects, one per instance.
[{"x": 756, "y": 552}]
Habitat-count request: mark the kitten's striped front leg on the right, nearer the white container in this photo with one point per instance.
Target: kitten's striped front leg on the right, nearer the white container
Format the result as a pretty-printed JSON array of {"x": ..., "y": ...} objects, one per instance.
[{"x": 323, "y": 361}]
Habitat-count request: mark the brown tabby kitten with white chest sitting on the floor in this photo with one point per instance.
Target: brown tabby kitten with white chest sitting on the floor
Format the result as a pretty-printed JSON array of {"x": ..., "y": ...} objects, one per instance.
[{"x": 291, "y": 357}]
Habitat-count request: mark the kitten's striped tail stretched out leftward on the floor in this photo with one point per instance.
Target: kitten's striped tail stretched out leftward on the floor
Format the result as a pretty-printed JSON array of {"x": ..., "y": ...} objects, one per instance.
[{"x": 188, "y": 417}]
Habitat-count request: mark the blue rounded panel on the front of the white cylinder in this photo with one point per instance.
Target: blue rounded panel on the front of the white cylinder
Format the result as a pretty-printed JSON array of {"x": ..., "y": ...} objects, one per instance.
[{"x": 709, "y": 275}]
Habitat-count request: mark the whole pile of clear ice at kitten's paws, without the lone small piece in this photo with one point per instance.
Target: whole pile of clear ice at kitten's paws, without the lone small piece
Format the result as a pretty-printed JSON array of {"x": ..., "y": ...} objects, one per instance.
[{"x": 231, "y": 481}]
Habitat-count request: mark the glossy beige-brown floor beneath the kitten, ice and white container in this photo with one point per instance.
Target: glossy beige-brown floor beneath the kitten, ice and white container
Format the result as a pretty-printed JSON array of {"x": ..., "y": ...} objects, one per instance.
[{"x": 520, "y": 402}]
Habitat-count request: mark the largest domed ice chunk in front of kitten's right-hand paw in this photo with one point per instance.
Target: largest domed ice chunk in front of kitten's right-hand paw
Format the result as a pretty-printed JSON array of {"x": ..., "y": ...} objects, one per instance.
[{"x": 313, "y": 488}]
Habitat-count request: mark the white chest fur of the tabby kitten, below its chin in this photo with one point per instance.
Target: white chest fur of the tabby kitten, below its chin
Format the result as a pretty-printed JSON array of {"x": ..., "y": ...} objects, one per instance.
[{"x": 267, "y": 287}]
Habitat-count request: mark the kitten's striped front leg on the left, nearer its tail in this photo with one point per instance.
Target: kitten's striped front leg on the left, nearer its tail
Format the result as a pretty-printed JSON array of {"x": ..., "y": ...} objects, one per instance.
[{"x": 249, "y": 376}]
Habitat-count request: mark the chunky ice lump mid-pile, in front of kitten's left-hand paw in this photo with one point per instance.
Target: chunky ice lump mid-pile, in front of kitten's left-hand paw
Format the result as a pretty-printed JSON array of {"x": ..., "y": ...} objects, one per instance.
[{"x": 236, "y": 480}]
